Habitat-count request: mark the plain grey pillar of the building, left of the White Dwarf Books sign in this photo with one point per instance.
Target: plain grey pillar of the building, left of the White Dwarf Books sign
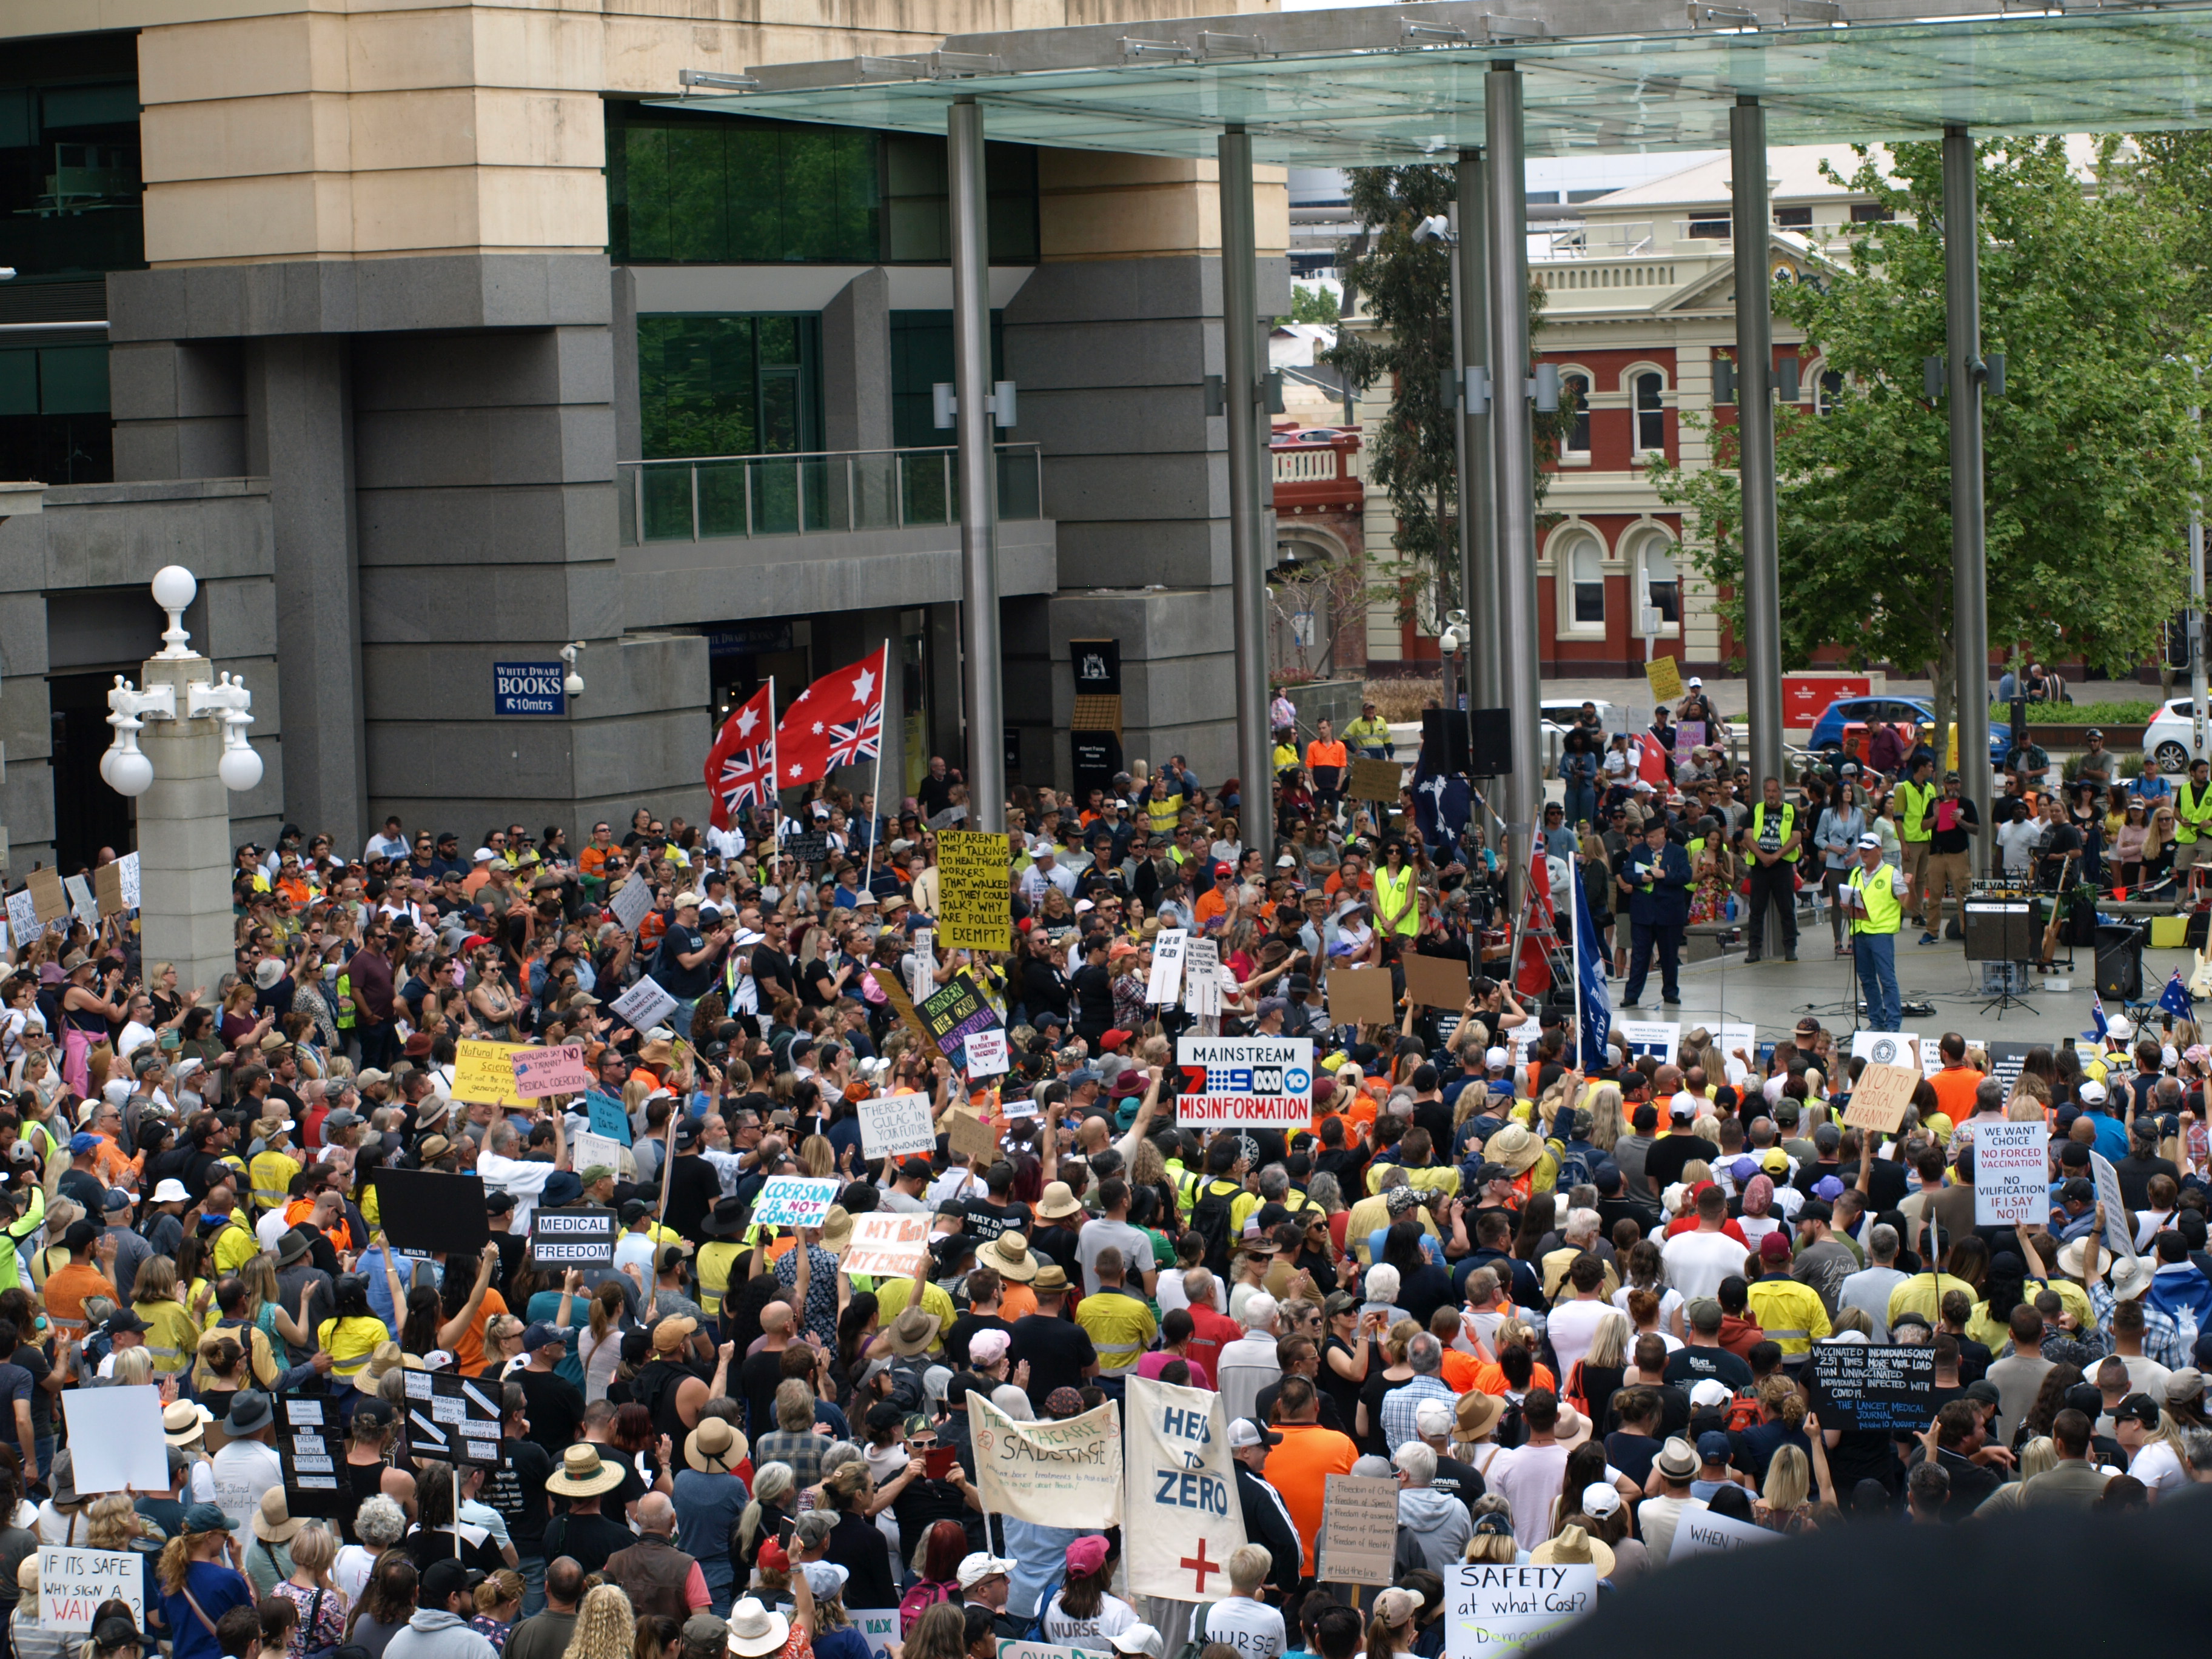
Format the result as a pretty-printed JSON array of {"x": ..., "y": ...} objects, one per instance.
[{"x": 302, "y": 439}]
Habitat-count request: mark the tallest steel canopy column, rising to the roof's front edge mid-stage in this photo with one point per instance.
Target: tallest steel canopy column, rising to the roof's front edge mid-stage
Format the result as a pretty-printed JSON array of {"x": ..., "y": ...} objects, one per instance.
[{"x": 1514, "y": 463}]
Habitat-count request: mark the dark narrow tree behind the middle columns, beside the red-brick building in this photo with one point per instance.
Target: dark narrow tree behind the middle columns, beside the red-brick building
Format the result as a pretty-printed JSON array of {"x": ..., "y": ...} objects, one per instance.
[{"x": 1408, "y": 286}]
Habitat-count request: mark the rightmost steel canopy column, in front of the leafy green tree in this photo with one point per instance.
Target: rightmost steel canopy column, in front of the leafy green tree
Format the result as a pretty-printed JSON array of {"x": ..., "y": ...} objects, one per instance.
[{"x": 1970, "y": 561}]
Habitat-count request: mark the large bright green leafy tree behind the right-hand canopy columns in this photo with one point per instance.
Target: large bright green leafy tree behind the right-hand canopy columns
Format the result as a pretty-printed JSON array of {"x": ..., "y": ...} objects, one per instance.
[{"x": 2087, "y": 457}]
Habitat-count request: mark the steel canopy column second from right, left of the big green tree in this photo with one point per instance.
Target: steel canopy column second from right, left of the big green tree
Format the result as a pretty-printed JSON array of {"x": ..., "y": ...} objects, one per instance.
[{"x": 1755, "y": 437}]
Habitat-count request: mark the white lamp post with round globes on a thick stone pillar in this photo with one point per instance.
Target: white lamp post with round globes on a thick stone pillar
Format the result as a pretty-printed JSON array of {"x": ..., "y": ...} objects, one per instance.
[{"x": 180, "y": 751}]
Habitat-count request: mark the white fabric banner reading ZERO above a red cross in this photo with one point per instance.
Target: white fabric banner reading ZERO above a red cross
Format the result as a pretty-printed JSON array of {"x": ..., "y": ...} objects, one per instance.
[{"x": 1180, "y": 1516}]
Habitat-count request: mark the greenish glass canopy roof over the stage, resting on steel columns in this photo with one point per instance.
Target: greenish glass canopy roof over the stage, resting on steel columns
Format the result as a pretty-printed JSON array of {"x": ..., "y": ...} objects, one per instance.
[{"x": 1379, "y": 85}]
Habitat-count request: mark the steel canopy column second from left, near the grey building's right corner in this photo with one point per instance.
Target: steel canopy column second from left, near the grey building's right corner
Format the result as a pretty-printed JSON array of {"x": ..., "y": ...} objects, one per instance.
[{"x": 1249, "y": 552}]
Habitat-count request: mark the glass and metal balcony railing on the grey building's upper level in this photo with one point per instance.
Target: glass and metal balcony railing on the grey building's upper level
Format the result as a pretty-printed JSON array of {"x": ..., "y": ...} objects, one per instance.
[{"x": 853, "y": 490}]
